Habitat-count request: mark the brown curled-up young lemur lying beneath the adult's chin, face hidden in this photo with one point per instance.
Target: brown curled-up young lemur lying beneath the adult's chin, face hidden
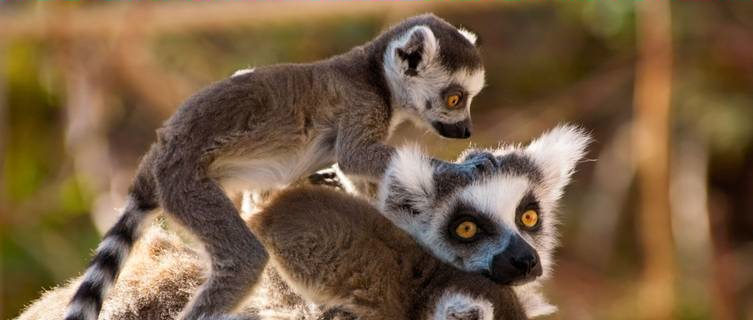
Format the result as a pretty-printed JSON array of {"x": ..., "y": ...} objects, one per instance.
[{"x": 338, "y": 250}]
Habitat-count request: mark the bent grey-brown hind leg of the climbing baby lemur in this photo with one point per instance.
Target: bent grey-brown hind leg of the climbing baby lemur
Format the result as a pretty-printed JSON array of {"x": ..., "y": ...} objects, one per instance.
[{"x": 237, "y": 257}]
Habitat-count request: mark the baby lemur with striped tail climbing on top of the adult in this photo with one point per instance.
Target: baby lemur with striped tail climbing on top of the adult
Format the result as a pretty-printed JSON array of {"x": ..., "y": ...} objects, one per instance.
[{"x": 271, "y": 125}]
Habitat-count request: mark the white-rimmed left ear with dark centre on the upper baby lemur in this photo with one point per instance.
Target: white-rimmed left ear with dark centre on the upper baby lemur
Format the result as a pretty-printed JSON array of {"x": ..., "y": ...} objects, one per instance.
[{"x": 417, "y": 47}]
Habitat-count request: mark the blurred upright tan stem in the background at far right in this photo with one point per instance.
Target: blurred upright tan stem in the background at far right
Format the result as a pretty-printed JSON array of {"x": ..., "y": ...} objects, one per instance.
[{"x": 651, "y": 134}]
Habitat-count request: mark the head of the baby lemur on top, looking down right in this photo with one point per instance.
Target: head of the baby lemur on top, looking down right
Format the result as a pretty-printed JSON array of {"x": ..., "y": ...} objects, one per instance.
[{"x": 433, "y": 71}]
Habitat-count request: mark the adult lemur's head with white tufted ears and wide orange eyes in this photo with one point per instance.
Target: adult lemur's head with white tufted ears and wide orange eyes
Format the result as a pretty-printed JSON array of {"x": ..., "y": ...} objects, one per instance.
[{"x": 503, "y": 223}]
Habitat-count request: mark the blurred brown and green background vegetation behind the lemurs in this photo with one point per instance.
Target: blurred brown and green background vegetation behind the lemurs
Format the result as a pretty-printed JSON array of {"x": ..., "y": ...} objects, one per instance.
[{"x": 658, "y": 226}]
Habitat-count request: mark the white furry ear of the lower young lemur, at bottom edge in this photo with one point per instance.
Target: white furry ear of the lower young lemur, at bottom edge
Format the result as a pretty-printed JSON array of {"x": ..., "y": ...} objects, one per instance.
[{"x": 453, "y": 305}]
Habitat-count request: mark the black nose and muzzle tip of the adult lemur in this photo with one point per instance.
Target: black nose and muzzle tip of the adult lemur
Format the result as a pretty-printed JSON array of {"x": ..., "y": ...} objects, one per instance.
[{"x": 519, "y": 263}]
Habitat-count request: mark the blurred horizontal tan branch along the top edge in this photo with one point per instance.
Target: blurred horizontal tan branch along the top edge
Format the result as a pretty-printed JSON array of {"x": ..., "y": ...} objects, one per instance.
[{"x": 163, "y": 17}]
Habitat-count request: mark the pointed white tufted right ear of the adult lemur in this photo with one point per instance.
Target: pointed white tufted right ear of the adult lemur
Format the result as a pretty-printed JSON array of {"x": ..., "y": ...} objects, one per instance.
[{"x": 556, "y": 153}]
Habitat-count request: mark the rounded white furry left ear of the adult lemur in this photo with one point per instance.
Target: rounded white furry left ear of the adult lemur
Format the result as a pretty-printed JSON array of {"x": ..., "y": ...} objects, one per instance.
[{"x": 407, "y": 187}]
